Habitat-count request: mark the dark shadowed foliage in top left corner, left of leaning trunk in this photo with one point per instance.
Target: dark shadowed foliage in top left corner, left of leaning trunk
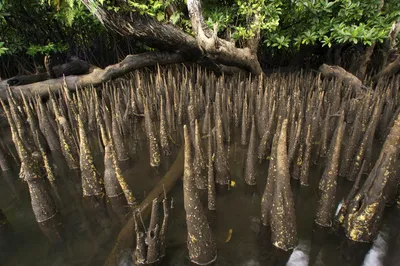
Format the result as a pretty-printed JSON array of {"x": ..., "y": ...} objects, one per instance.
[{"x": 34, "y": 27}]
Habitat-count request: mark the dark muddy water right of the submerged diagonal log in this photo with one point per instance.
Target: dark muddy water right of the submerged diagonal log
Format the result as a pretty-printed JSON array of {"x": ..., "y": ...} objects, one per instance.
[{"x": 249, "y": 244}]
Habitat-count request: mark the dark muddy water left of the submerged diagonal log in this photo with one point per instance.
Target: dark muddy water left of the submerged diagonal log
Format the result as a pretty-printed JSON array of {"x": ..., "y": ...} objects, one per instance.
[{"x": 86, "y": 243}]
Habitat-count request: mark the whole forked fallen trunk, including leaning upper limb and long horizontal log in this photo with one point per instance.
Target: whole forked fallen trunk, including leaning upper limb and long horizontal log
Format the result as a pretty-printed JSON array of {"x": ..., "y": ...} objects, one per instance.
[{"x": 174, "y": 44}]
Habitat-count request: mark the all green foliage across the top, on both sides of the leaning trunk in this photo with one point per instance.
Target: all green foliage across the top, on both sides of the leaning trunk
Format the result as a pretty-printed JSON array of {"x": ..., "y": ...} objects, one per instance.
[{"x": 39, "y": 27}]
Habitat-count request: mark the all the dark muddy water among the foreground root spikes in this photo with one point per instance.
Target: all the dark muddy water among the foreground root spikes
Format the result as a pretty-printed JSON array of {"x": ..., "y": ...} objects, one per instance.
[{"x": 236, "y": 226}]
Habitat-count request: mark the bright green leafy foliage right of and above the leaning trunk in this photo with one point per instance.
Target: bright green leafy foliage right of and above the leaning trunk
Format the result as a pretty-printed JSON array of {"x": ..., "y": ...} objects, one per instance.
[{"x": 287, "y": 24}]
